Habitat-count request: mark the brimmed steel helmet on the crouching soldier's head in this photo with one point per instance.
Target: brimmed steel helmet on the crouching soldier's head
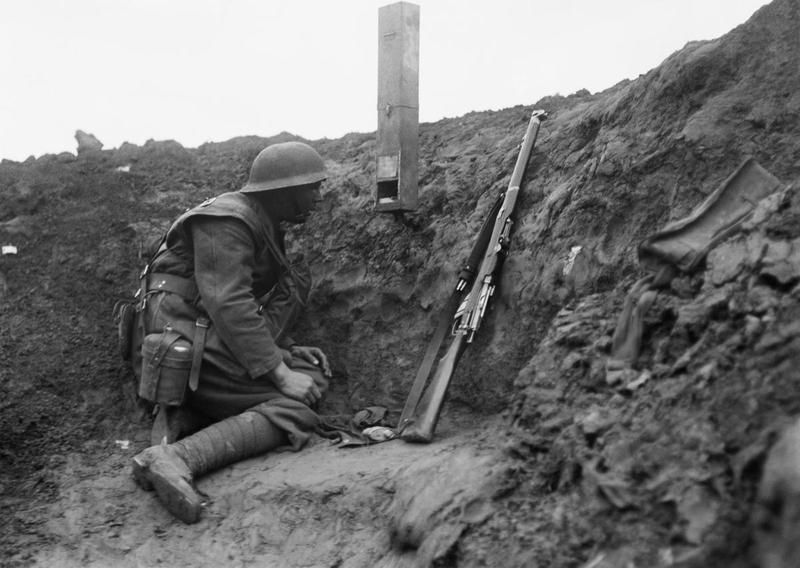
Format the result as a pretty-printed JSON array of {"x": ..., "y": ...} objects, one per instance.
[{"x": 287, "y": 164}]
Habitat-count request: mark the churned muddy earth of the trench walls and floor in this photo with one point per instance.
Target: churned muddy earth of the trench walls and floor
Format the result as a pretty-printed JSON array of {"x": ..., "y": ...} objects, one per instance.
[{"x": 541, "y": 458}]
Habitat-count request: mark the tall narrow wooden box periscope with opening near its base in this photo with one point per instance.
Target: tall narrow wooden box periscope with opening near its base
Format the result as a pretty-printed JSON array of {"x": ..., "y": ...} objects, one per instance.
[{"x": 397, "y": 145}]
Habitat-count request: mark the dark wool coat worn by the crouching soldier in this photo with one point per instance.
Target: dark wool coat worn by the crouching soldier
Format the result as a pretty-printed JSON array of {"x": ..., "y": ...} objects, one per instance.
[{"x": 250, "y": 294}]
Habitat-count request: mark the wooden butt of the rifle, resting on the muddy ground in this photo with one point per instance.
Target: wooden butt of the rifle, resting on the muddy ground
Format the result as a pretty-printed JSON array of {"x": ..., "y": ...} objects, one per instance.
[{"x": 421, "y": 427}]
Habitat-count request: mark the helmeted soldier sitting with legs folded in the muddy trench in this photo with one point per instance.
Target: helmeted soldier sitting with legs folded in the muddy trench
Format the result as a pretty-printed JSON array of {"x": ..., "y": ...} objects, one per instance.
[{"x": 221, "y": 282}]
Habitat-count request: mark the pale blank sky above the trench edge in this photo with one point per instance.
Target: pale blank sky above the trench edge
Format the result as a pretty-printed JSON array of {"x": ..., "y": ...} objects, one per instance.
[{"x": 200, "y": 71}]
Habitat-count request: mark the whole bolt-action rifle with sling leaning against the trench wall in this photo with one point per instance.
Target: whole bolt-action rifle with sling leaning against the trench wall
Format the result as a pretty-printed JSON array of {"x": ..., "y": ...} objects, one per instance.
[{"x": 419, "y": 417}]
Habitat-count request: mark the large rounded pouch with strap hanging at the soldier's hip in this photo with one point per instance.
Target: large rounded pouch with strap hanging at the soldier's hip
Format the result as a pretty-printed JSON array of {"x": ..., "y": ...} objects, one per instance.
[{"x": 166, "y": 367}]
